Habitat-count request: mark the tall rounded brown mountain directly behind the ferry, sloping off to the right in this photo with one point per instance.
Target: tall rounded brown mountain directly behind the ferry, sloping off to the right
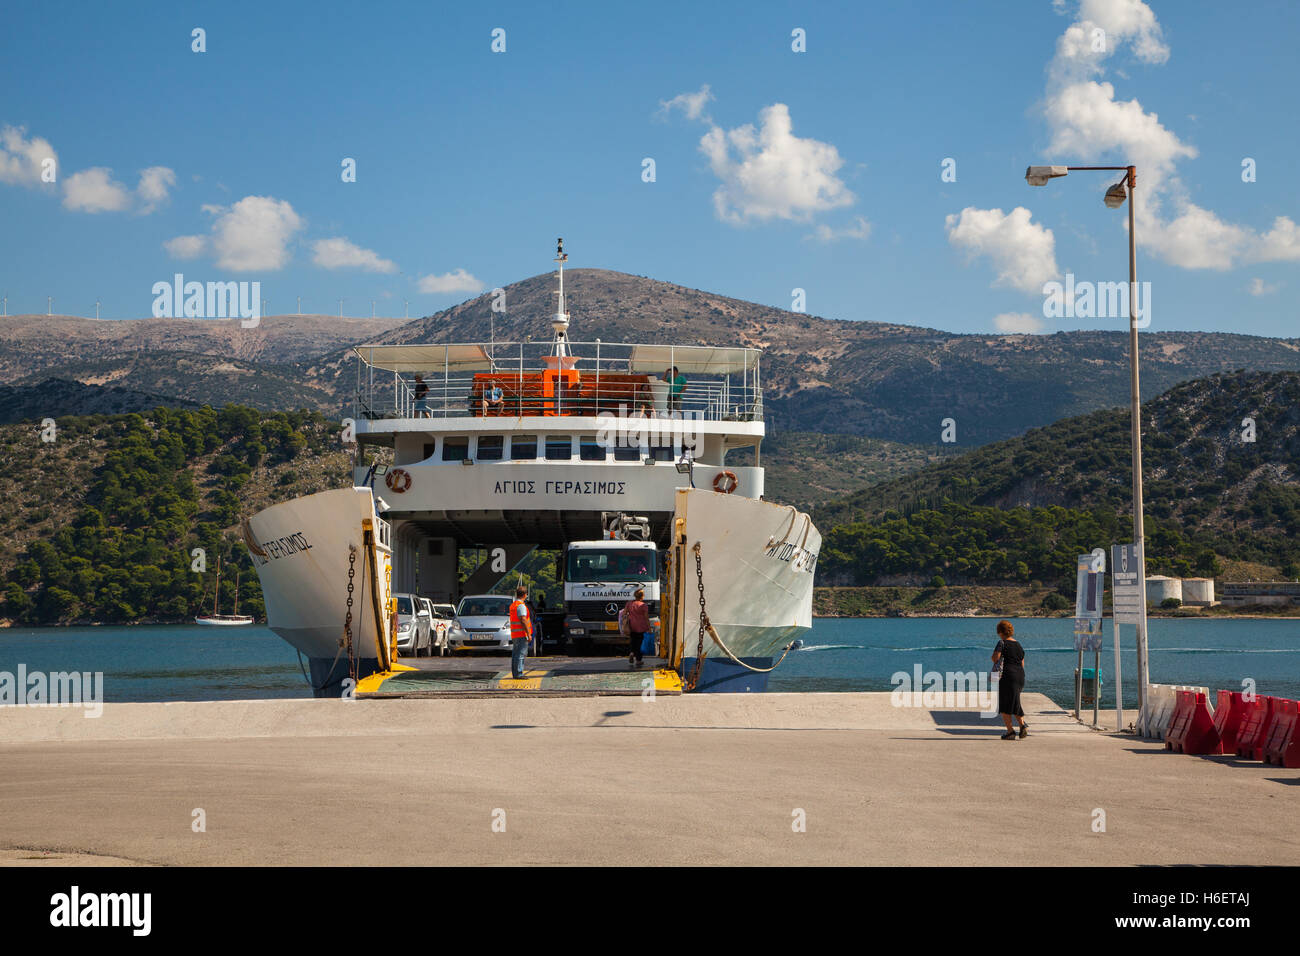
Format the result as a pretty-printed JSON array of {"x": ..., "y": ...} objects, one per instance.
[{"x": 882, "y": 380}]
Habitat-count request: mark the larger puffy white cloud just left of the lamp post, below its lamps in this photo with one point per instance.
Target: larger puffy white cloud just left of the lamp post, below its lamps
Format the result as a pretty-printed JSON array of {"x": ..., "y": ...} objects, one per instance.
[{"x": 1024, "y": 253}]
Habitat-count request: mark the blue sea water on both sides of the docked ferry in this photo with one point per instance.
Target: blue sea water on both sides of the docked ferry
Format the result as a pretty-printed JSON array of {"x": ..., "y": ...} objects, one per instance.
[{"x": 192, "y": 663}]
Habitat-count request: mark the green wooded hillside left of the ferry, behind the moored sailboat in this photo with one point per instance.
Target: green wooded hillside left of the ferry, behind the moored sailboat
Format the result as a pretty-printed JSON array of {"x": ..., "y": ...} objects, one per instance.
[{"x": 101, "y": 524}]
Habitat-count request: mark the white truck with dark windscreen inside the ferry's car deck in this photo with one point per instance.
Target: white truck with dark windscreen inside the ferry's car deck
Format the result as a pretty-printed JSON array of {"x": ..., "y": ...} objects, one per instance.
[{"x": 601, "y": 577}]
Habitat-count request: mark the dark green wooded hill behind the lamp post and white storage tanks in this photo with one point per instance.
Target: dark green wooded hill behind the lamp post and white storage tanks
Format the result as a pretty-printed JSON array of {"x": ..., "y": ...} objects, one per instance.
[{"x": 1022, "y": 509}]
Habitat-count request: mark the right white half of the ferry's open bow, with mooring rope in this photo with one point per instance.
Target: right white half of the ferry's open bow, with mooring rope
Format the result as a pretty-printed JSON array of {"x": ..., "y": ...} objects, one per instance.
[{"x": 757, "y": 560}]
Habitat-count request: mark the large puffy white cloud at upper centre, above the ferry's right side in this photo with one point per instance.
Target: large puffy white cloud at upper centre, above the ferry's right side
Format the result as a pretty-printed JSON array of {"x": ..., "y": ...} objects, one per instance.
[{"x": 772, "y": 174}]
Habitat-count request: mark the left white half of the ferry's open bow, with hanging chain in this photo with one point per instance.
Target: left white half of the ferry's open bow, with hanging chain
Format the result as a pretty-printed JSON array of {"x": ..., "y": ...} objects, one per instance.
[{"x": 302, "y": 553}]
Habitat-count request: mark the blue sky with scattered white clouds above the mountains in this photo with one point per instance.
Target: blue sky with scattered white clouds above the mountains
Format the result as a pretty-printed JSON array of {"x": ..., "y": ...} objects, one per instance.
[{"x": 470, "y": 163}]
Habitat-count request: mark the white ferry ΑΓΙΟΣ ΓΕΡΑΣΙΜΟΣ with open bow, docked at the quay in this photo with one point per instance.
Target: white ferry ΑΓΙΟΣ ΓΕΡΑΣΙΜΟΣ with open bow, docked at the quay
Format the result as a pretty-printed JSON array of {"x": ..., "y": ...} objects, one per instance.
[{"x": 504, "y": 448}]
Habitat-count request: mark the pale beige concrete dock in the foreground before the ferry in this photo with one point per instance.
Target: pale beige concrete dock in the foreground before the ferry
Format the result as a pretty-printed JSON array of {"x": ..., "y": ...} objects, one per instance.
[{"x": 626, "y": 781}]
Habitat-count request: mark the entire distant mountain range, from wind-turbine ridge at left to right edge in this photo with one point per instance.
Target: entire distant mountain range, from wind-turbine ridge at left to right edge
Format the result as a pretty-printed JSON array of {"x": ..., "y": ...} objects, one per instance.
[{"x": 881, "y": 380}]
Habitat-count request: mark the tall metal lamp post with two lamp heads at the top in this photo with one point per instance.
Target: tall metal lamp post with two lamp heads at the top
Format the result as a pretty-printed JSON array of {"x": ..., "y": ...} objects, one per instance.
[{"x": 1115, "y": 198}]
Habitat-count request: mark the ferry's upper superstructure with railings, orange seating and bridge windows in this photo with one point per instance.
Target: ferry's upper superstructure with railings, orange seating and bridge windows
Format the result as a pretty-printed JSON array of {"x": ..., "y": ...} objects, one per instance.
[{"x": 558, "y": 439}]
